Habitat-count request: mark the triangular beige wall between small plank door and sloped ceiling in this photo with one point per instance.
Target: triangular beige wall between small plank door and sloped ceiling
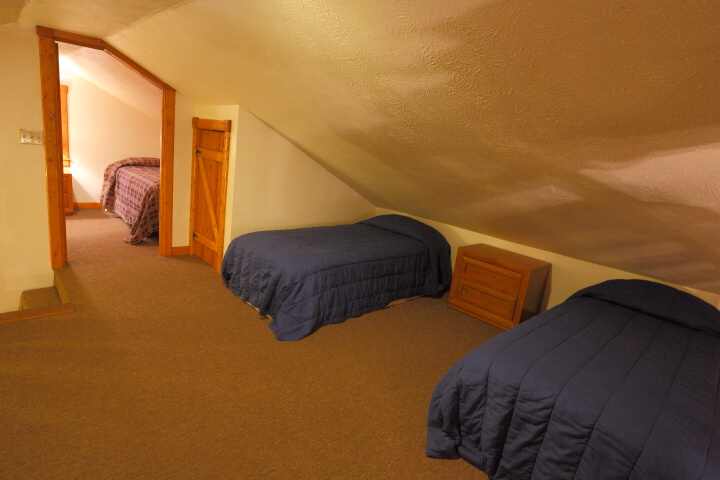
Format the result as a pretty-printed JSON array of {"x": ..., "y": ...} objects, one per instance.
[{"x": 274, "y": 185}]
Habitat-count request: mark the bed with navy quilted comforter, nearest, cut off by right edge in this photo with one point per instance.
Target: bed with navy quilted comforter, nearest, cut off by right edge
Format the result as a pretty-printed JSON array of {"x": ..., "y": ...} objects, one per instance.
[{"x": 618, "y": 382}]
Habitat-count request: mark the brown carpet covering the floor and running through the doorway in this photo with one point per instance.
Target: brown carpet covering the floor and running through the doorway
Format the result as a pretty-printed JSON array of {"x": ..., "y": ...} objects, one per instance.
[{"x": 161, "y": 372}]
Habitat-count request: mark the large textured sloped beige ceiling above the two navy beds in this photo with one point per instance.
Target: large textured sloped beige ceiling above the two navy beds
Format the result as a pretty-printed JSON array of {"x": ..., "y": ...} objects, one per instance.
[{"x": 589, "y": 128}]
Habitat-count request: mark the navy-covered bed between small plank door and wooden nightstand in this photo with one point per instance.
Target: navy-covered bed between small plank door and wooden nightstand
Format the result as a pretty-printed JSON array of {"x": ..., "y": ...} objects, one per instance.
[{"x": 310, "y": 277}]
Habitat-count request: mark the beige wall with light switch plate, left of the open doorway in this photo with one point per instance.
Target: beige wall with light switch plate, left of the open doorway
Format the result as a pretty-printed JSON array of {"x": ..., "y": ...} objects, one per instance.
[{"x": 24, "y": 240}]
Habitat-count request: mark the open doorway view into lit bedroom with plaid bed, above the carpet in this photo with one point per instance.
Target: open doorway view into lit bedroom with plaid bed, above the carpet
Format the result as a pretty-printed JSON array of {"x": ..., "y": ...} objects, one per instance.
[{"x": 109, "y": 114}]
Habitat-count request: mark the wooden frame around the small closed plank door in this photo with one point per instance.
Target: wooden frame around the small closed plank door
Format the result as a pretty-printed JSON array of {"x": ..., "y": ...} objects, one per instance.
[{"x": 224, "y": 126}]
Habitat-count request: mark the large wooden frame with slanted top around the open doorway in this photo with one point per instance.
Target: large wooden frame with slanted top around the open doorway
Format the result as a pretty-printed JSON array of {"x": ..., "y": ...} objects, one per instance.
[{"x": 50, "y": 89}]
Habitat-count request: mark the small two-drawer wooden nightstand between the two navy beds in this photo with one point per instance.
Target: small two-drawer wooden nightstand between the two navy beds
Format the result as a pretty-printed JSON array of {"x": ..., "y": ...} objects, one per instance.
[{"x": 497, "y": 286}]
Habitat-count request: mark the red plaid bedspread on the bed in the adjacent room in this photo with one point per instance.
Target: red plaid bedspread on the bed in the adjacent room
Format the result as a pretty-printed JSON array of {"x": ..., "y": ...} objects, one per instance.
[{"x": 131, "y": 188}]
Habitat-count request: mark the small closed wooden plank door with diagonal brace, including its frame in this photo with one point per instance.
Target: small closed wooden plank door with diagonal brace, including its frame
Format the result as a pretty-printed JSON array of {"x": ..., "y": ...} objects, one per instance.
[{"x": 211, "y": 144}]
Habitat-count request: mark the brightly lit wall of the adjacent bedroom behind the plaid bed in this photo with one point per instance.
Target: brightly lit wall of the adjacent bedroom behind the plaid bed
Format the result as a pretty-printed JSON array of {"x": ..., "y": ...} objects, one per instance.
[{"x": 103, "y": 129}]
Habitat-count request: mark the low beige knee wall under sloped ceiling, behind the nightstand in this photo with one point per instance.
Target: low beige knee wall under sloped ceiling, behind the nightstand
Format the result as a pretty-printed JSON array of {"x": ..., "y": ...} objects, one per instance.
[{"x": 568, "y": 275}]
